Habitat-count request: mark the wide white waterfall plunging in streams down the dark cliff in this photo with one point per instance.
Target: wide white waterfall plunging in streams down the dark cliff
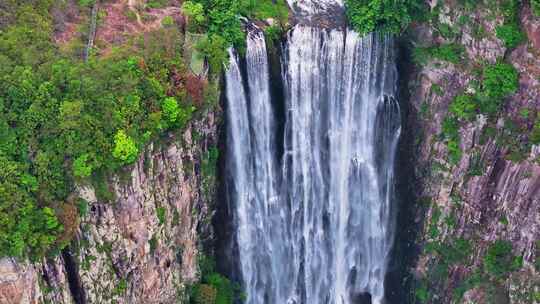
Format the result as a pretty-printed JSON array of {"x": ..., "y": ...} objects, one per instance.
[{"x": 314, "y": 217}]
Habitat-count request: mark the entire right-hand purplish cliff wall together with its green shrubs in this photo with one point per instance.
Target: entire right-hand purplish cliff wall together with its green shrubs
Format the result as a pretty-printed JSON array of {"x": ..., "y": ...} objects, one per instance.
[{"x": 474, "y": 87}]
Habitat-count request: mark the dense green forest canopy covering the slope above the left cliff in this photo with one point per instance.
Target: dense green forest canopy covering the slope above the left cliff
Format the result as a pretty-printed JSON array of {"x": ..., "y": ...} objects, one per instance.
[{"x": 62, "y": 119}]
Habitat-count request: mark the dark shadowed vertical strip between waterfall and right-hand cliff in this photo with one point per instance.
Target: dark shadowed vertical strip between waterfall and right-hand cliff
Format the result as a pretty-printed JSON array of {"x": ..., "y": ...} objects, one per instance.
[{"x": 399, "y": 280}]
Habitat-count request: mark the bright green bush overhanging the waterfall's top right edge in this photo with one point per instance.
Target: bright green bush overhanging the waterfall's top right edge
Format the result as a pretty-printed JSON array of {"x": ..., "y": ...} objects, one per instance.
[{"x": 384, "y": 15}]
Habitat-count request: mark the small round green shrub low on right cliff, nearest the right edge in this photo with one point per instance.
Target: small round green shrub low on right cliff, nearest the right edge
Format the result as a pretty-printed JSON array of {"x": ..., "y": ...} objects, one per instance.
[{"x": 499, "y": 260}]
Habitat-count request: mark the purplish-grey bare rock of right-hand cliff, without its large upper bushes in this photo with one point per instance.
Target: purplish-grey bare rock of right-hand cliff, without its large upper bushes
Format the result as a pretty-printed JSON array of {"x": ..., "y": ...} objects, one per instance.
[{"x": 491, "y": 194}]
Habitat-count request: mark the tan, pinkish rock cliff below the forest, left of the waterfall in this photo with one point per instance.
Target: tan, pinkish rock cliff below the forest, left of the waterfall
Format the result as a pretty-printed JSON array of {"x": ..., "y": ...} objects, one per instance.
[{"x": 142, "y": 245}]
